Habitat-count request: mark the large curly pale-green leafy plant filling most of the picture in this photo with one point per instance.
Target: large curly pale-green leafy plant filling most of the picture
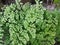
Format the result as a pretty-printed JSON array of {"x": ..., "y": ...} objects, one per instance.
[{"x": 28, "y": 24}]
